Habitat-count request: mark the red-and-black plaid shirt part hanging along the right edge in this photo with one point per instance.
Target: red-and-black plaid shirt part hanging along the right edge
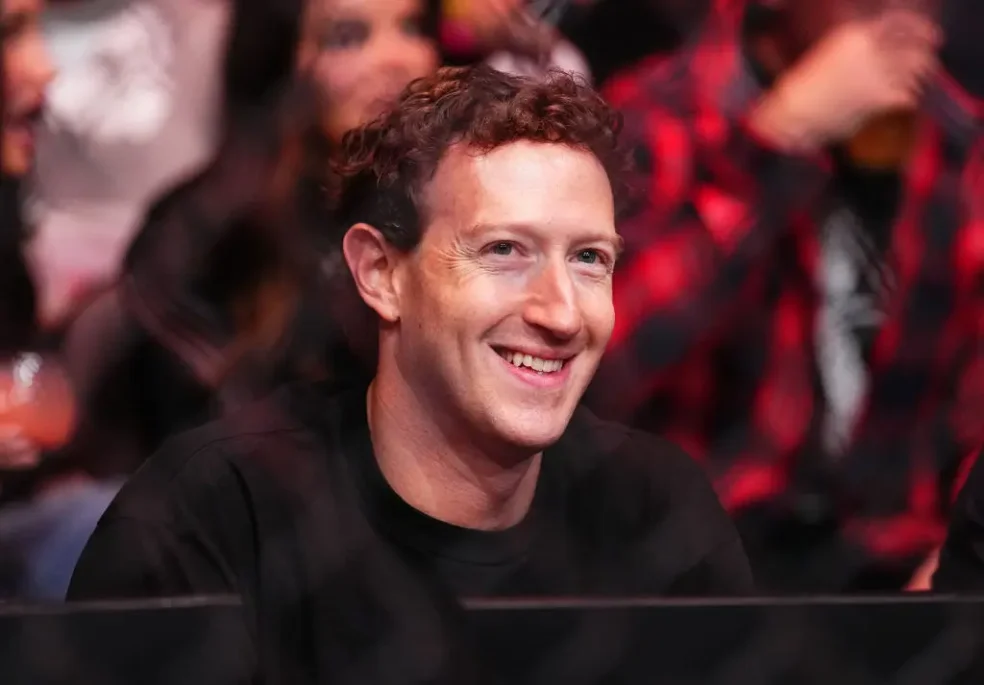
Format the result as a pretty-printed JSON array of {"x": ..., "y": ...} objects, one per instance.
[{"x": 927, "y": 397}]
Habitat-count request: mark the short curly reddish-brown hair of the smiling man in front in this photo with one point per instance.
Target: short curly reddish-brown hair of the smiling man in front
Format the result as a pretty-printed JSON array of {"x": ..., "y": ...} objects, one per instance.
[{"x": 382, "y": 167}]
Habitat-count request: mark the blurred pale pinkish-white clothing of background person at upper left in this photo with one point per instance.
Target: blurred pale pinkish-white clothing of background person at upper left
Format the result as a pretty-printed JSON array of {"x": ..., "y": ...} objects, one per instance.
[{"x": 134, "y": 110}]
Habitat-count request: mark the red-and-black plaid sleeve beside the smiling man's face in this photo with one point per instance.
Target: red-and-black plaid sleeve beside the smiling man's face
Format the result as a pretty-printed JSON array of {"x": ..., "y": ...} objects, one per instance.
[{"x": 711, "y": 198}]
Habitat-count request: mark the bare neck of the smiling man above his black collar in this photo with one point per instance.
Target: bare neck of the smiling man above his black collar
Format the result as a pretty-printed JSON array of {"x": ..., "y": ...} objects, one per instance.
[{"x": 444, "y": 475}]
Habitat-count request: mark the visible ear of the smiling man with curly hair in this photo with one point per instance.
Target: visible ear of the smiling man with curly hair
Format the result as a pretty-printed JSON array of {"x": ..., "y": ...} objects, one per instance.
[{"x": 372, "y": 261}]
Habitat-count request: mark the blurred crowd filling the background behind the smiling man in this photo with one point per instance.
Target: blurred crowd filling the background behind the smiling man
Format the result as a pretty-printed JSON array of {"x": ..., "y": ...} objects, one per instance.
[{"x": 809, "y": 326}]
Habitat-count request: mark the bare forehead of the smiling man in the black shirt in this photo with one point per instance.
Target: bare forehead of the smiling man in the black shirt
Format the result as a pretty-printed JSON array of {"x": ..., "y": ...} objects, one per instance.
[{"x": 535, "y": 184}]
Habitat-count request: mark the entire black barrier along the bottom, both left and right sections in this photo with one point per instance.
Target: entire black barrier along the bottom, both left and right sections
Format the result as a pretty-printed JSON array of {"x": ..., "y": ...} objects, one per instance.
[{"x": 838, "y": 641}]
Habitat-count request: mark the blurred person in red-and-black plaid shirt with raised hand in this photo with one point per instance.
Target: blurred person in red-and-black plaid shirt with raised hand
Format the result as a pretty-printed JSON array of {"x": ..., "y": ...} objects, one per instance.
[{"x": 800, "y": 148}]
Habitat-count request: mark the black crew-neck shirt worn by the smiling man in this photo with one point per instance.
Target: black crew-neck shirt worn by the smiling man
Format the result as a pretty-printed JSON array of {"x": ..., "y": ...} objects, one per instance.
[{"x": 284, "y": 504}]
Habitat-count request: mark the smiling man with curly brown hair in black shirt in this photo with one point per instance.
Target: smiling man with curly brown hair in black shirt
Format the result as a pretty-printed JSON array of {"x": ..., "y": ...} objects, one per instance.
[{"x": 481, "y": 216}]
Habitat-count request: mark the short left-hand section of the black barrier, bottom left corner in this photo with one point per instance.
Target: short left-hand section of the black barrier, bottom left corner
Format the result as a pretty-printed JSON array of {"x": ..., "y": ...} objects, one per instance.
[{"x": 195, "y": 641}]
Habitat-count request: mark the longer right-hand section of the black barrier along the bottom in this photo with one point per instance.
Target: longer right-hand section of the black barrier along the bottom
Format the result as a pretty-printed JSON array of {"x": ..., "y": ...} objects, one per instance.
[{"x": 837, "y": 641}]
